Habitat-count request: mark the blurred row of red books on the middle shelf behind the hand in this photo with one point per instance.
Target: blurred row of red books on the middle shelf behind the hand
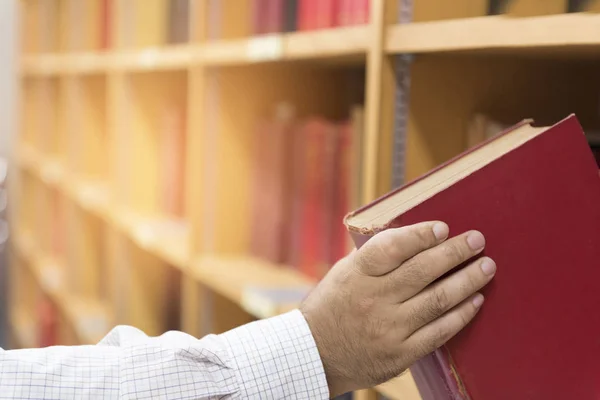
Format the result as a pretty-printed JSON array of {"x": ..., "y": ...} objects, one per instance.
[{"x": 304, "y": 182}]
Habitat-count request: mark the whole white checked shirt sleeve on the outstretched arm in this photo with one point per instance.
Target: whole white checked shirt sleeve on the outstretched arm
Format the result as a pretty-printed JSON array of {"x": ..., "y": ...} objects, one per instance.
[{"x": 274, "y": 358}]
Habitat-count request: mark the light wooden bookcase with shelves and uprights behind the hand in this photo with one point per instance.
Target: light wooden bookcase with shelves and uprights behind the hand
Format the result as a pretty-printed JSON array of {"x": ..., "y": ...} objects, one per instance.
[{"x": 90, "y": 232}]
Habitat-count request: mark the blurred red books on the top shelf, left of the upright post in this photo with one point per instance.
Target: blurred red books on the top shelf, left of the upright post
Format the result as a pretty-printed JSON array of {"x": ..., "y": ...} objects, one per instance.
[{"x": 272, "y": 16}]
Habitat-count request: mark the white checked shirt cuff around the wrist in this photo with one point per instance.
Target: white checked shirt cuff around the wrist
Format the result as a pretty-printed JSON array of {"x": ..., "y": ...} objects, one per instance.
[{"x": 277, "y": 358}]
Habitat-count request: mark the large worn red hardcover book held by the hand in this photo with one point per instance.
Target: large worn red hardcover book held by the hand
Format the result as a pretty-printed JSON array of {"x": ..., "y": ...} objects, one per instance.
[{"x": 535, "y": 195}]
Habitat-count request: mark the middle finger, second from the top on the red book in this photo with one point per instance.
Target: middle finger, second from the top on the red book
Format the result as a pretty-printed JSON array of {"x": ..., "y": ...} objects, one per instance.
[{"x": 421, "y": 270}]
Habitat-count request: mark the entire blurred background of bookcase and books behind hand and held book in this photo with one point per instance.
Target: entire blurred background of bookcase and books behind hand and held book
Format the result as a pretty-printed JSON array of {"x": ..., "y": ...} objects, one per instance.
[{"x": 187, "y": 164}]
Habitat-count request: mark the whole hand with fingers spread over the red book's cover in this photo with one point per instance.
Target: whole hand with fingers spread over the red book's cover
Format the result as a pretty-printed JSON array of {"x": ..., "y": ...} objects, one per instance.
[{"x": 379, "y": 309}]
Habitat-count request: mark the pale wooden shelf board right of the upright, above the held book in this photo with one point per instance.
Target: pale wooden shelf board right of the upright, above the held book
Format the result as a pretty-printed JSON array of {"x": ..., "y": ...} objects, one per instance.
[{"x": 575, "y": 33}]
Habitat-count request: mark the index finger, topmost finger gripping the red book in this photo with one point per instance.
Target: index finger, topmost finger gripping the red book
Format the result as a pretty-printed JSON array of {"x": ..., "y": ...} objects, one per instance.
[{"x": 387, "y": 250}]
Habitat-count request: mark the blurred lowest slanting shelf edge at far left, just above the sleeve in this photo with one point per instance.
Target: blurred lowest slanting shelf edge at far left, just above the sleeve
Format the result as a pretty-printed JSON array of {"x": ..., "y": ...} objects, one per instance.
[{"x": 90, "y": 319}]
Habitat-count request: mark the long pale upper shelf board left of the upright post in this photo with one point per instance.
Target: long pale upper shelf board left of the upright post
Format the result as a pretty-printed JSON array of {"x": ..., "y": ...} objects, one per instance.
[{"x": 329, "y": 43}]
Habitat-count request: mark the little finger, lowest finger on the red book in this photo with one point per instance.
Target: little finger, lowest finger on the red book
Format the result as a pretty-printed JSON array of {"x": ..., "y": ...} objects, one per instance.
[{"x": 437, "y": 333}]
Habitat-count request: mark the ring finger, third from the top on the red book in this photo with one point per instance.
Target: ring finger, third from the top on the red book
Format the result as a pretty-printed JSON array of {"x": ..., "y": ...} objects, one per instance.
[{"x": 437, "y": 299}]
